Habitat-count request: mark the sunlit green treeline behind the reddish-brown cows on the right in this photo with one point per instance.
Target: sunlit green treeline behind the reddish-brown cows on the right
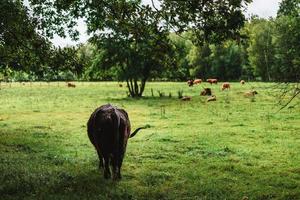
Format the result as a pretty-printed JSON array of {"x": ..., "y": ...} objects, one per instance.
[{"x": 267, "y": 50}]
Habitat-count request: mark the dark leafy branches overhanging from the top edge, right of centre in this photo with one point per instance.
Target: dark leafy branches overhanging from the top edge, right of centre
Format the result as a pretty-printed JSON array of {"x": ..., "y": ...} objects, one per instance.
[{"x": 211, "y": 21}]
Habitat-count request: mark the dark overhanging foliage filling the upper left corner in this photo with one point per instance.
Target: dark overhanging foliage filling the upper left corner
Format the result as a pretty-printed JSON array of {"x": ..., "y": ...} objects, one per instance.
[{"x": 24, "y": 48}]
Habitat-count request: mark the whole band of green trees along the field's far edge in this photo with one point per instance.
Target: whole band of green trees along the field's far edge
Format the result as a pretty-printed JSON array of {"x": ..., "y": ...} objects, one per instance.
[{"x": 264, "y": 50}]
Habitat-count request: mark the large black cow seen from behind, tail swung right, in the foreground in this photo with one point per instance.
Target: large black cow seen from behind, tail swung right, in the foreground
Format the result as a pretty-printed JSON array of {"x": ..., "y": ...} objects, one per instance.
[{"x": 109, "y": 129}]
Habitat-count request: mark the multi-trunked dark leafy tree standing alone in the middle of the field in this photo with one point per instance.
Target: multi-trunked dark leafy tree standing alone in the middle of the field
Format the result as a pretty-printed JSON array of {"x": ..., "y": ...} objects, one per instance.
[{"x": 138, "y": 51}]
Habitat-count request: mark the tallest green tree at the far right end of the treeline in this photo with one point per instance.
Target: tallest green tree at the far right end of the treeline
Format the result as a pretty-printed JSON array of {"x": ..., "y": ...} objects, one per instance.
[{"x": 287, "y": 37}]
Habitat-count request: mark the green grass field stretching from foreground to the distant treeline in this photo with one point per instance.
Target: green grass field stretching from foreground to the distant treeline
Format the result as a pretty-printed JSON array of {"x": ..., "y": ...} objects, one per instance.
[{"x": 234, "y": 148}]
